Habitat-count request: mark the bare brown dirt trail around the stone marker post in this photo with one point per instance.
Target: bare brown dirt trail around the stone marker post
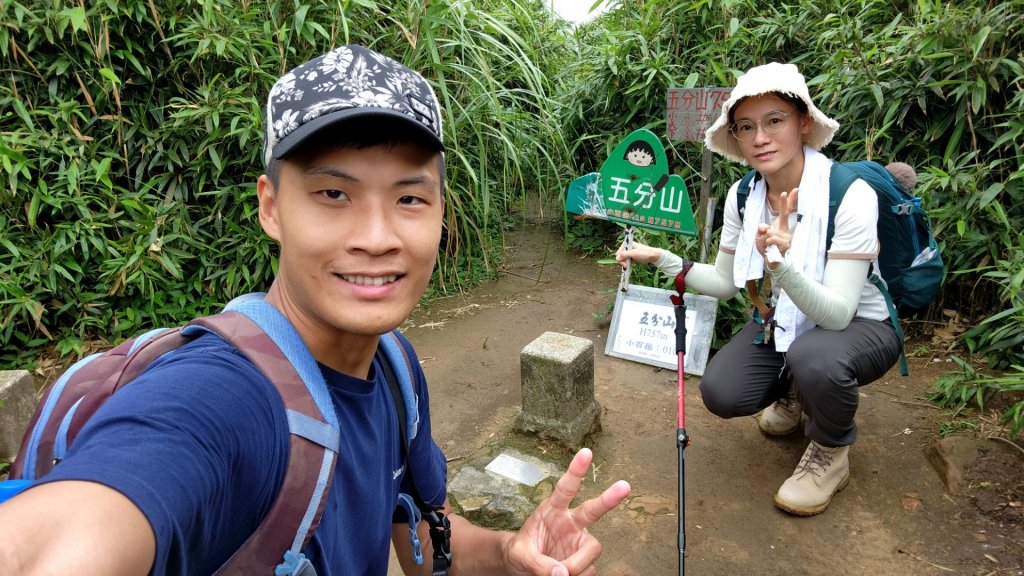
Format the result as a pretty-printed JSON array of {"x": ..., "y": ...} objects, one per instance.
[{"x": 894, "y": 518}]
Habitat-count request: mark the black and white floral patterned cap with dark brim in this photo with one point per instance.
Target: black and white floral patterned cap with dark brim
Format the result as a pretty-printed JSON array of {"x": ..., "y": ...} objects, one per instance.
[{"x": 348, "y": 83}]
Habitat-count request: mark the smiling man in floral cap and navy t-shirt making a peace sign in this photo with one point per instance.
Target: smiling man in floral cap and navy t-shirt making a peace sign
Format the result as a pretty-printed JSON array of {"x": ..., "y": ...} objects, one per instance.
[{"x": 179, "y": 469}]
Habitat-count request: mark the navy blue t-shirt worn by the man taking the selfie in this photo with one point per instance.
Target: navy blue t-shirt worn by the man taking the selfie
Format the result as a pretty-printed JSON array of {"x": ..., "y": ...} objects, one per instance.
[{"x": 200, "y": 444}]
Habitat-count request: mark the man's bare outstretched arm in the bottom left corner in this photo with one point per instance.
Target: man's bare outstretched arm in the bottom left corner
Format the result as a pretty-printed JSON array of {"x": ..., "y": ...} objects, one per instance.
[{"x": 73, "y": 527}]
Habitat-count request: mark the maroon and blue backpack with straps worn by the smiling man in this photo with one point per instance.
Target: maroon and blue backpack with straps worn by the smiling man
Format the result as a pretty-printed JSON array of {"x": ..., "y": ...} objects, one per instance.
[{"x": 270, "y": 342}]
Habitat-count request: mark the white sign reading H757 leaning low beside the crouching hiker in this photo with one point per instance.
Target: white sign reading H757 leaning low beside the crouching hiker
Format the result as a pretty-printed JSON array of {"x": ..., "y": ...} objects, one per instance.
[{"x": 645, "y": 323}]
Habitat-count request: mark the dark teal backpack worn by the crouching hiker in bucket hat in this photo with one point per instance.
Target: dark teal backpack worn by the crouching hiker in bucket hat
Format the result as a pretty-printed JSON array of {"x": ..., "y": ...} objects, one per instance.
[{"x": 910, "y": 262}]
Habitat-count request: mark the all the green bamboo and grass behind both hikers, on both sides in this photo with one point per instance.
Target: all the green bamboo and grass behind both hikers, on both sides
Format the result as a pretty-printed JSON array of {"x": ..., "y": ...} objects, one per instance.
[{"x": 132, "y": 135}]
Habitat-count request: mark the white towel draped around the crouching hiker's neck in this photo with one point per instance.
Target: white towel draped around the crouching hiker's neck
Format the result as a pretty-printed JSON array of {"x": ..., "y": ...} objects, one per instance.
[{"x": 807, "y": 251}]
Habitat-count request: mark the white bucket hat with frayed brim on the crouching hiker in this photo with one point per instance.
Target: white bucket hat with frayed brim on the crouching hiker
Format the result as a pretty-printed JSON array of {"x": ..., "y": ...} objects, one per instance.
[{"x": 759, "y": 80}]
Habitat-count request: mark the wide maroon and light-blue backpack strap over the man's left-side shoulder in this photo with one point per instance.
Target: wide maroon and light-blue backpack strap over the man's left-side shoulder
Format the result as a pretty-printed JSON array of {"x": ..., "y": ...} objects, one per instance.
[{"x": 270, "y": 341}]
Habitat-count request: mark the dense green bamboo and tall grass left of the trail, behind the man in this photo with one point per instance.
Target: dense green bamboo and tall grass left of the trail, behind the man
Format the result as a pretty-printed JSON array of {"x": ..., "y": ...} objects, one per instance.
[{"x": 132, "y": 135}]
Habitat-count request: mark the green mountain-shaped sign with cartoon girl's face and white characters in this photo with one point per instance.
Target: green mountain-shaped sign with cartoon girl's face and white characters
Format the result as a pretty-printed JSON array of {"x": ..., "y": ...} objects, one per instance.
[{"x": 635, "y": 188}]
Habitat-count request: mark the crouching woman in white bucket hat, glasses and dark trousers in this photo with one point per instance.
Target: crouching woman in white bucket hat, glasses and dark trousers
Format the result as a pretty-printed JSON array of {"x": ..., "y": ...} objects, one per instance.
[{"x": 826, "y": 330}]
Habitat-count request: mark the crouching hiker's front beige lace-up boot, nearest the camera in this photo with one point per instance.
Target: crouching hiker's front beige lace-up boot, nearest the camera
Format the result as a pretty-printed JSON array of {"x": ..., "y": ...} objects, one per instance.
[{"x": 822, "y": 473}]
